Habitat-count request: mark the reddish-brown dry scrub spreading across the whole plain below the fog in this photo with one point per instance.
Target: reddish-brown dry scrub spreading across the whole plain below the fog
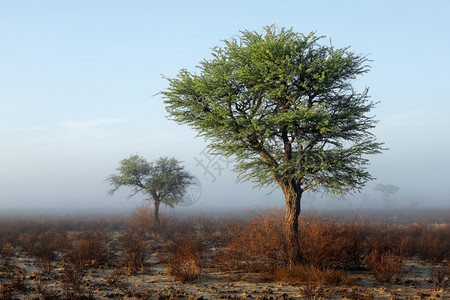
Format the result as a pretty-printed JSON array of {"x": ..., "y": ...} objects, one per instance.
[{"x": 335, "y": 251}]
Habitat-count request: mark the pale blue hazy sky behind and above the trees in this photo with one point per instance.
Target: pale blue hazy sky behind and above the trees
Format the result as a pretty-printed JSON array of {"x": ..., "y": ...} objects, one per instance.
[{"x": 78, "y": 85}]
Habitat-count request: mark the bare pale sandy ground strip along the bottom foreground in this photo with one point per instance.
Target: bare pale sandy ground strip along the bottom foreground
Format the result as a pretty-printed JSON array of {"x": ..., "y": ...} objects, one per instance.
[{"x": 155, "y": 283}]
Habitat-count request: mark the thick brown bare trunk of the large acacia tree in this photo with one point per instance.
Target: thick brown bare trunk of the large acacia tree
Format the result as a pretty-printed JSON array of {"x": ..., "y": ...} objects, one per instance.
[{"x": 292, "y": 194}]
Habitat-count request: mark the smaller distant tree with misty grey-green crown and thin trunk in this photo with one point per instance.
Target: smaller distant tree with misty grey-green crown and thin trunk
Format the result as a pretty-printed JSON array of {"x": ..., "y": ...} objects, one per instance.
[{"x": 163, "y": 181}]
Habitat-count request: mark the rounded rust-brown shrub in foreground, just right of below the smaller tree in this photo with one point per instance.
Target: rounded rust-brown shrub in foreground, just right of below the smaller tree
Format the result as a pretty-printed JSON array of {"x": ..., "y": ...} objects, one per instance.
[{"x": 184, "y": 258}]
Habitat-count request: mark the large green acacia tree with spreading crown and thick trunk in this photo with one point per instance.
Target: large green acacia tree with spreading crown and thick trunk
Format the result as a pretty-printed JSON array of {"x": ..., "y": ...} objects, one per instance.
[{"x": 284, "y": 107}]
